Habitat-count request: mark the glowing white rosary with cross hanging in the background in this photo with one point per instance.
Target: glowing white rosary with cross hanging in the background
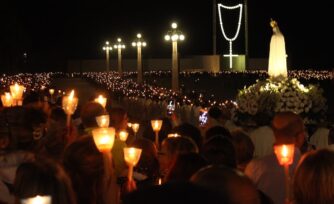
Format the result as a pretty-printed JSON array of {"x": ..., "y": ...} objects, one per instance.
[{"x": 230, "y": 40}]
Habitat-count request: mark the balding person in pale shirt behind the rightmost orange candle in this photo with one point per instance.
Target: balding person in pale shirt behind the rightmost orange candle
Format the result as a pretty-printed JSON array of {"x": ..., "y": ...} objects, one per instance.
[{"x": 266, "y": 172}]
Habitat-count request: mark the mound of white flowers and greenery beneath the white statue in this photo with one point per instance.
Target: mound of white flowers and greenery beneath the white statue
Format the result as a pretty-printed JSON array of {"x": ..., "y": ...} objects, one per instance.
[{"x": 279, "y": 95}]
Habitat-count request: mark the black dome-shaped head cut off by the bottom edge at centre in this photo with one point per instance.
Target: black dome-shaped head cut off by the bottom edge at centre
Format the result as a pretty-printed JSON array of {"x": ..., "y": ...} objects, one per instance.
[{"x": 174, "y": 192}]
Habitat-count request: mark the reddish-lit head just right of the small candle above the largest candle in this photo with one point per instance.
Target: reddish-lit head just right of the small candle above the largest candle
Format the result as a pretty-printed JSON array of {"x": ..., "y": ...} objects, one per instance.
[{"x": 118, "y": 118}]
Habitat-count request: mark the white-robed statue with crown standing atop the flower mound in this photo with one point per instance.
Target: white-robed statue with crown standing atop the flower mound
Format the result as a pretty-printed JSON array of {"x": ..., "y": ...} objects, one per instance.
[{"x": 277, "y": 54}]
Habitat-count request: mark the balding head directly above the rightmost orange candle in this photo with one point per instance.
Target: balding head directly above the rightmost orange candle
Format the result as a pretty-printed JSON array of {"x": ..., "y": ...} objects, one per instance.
[{"x": 288, "y": 128}]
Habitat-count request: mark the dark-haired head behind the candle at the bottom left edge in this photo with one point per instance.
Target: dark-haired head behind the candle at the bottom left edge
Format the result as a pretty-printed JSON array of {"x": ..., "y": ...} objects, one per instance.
[{"x": 43, "y": 177}]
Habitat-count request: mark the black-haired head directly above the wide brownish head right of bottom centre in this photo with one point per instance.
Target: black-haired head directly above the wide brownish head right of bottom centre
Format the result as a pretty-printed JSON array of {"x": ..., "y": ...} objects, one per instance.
[{"x": 220, "y": 150}]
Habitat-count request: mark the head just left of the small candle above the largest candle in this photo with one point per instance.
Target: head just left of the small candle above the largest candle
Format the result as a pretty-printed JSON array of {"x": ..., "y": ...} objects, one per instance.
[{"x": 89, "y": 112}]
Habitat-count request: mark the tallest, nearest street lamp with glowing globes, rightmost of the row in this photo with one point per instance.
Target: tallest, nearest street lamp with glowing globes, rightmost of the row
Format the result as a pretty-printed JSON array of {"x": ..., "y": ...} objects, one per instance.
[{"x": 174, "y": 35}]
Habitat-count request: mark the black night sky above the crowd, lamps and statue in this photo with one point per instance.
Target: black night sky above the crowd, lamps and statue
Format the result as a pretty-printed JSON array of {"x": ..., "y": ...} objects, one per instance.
[{"x": 52, "y": 32}]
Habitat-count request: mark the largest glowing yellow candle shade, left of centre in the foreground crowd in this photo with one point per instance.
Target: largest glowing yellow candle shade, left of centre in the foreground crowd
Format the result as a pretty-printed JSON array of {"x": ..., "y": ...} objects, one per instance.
[{"x": 104, "y": 138}]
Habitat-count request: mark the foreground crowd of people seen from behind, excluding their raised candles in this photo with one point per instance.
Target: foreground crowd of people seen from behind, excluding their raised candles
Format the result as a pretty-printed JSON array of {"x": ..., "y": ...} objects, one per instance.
[{"x": 217, "y": 162}]
